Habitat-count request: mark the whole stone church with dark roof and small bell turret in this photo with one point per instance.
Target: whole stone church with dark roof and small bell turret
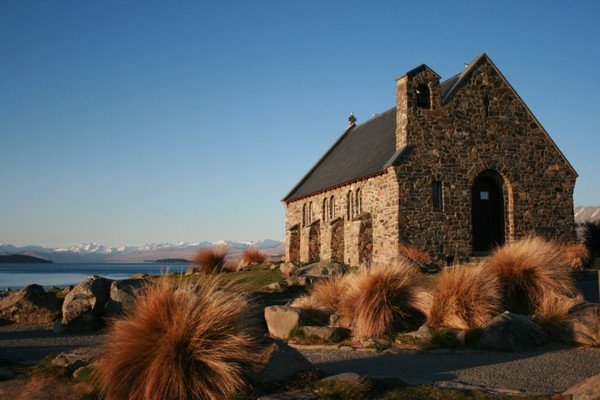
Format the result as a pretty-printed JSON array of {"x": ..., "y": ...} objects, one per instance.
[{"x": 454, "y": 169}]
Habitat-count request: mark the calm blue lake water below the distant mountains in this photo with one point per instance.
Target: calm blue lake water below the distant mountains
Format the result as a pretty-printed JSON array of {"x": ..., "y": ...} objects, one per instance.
[{"x": 15, "y": 276}]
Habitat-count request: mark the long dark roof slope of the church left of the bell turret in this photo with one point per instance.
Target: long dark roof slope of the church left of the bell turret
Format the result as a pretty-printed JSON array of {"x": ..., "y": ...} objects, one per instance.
[{"x": 361, "y": 151}]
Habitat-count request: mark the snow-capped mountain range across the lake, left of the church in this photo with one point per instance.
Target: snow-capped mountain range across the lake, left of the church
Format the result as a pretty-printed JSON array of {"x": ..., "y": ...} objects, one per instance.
[{"x": 97, "y": 253}]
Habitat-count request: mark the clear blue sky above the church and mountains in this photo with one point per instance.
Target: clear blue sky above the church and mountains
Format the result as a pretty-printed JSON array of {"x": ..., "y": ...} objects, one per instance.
[{"x": 128, "y": 122}]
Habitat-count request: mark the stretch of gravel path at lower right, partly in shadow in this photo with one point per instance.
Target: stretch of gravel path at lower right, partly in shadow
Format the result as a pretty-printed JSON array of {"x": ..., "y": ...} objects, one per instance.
[{"x": 540, "y": 371}]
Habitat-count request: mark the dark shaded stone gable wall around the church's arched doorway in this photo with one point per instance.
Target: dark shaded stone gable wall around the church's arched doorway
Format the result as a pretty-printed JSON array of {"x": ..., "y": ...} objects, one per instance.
[{"x": 485, "y": 126}]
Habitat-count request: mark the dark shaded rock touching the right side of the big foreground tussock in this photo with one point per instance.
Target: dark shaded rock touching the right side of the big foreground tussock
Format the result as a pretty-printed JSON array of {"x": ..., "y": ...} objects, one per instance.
[{"x": 279, "y": 361}]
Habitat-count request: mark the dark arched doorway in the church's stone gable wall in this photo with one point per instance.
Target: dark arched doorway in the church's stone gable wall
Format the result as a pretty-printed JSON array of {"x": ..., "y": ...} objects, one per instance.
[{"x": 487, "y": 209}]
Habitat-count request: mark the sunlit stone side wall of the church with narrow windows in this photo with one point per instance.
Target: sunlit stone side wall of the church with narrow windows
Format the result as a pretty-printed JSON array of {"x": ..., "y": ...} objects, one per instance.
[{"x": 377, "y": 201}]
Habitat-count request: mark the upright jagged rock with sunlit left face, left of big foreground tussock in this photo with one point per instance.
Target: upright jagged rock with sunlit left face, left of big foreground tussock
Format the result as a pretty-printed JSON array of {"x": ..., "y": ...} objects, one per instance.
[{"x": 84, "y": 304}]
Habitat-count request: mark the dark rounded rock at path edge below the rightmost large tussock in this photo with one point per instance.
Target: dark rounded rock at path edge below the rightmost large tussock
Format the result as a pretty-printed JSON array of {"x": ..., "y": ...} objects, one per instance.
[{"x": 512, "y": 332}]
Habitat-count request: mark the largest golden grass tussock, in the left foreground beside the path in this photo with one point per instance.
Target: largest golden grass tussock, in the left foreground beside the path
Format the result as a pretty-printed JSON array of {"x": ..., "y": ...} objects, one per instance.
[{"x": 180, "y": 343}]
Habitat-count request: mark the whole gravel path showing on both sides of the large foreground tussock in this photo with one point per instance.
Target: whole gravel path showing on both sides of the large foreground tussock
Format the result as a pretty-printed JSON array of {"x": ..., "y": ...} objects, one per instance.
[{"x": 551, "y": 370}]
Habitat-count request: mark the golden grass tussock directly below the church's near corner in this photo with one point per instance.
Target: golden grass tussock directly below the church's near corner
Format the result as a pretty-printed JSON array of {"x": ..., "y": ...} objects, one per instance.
[{"x": 388, "y": 299}]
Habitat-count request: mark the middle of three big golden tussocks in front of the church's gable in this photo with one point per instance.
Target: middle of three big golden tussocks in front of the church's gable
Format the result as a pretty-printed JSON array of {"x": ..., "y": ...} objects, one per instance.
[{"x": 466, "y": 297}]
